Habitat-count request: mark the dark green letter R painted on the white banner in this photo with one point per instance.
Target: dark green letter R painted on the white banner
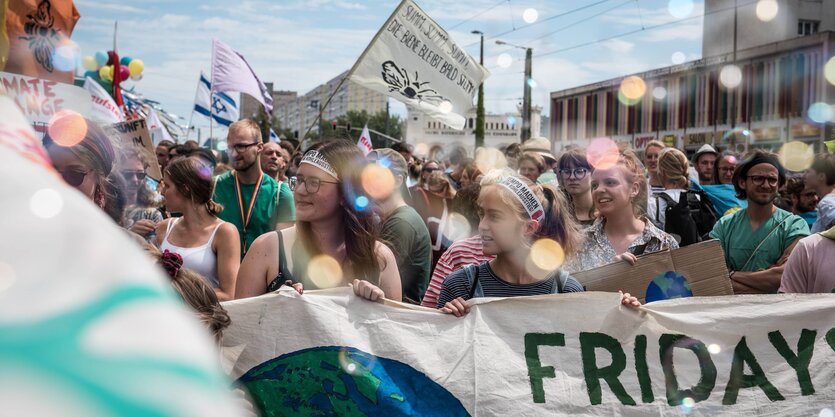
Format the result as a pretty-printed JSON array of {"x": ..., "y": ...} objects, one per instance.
[{"x": 588, "y": 343}]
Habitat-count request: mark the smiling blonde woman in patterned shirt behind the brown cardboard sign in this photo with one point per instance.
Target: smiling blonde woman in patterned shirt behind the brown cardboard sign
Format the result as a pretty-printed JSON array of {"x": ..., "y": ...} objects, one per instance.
[{"x": 619, "y": 193}]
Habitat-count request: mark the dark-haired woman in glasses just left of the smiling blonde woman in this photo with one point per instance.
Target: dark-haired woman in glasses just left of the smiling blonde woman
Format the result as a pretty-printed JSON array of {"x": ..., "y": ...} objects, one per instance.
[{"x": 575, "y": 180}]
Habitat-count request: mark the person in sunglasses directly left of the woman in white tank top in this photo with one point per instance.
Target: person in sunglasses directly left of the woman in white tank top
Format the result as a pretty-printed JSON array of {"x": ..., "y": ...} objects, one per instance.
[{"x": 142, "y": 213}]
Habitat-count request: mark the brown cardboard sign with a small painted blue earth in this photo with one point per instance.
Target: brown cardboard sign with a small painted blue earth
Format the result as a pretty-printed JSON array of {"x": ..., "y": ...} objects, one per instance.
[{"x": 702, "y": 265}]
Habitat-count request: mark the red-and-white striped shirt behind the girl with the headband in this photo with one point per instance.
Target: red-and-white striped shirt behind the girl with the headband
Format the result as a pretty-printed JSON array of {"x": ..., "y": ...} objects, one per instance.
[{"x": 461, "y": 253}]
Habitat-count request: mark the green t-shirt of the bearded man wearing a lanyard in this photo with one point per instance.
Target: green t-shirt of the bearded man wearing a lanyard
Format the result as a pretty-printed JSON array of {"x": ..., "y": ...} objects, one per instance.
[{"x": 269, "y": 209}]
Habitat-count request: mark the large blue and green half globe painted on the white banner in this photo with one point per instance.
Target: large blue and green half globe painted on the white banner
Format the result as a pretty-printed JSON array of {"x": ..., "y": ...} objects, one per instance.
[{"x": 343, "y": 381}]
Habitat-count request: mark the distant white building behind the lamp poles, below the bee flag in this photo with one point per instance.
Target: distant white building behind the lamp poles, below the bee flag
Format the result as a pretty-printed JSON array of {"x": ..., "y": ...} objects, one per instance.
[{"x": 499, "y": 130}]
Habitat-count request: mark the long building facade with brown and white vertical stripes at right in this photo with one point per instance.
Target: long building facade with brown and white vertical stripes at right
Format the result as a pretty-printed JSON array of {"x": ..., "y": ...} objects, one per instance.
[{"x": 688, "y": 105}]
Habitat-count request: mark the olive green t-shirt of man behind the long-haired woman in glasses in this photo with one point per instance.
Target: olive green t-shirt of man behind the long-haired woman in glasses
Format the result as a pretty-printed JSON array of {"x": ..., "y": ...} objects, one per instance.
[{"x": 406, "y": 234}]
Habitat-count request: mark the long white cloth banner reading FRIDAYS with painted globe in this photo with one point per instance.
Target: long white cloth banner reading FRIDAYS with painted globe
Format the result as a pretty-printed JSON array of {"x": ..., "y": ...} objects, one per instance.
[{"x": 331, "y": 353}]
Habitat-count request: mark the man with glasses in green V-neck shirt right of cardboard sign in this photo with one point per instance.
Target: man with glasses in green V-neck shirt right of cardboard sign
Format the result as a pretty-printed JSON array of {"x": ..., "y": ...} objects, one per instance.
[{"x": 758, "y": 240}]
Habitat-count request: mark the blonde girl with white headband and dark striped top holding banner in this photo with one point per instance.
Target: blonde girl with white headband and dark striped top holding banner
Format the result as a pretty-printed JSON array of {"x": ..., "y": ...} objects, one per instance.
[{"x": 515, "y": 214}]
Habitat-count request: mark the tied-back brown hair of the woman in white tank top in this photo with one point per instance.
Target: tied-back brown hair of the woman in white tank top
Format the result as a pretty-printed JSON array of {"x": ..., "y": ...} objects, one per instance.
[{"x": 193, "y": 179}]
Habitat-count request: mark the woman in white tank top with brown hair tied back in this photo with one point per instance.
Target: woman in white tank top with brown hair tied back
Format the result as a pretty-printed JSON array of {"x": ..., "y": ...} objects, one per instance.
[{"x": 207, "y": 245}]
